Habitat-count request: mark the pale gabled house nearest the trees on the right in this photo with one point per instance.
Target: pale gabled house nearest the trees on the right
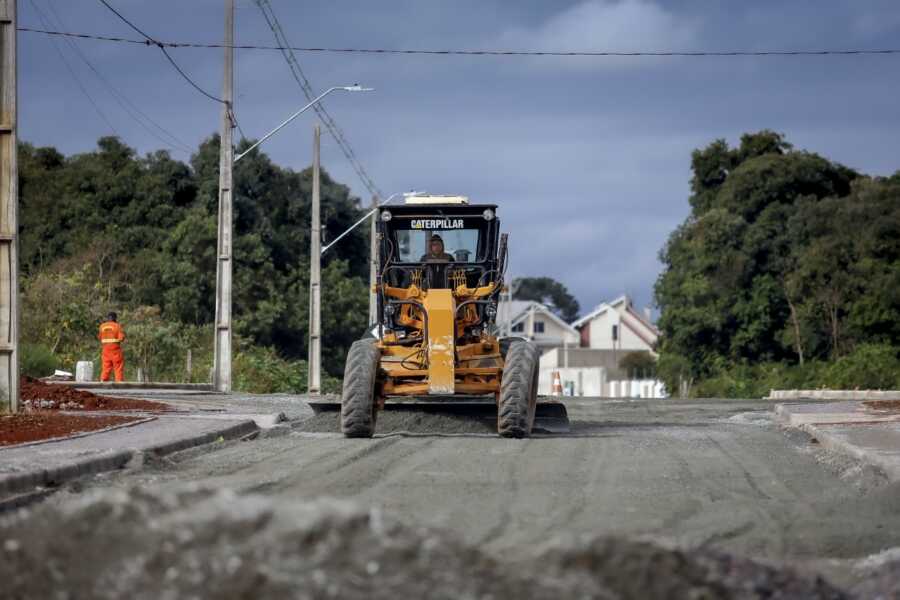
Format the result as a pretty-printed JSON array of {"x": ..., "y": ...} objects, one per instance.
[{"x": 617, "y": 326}]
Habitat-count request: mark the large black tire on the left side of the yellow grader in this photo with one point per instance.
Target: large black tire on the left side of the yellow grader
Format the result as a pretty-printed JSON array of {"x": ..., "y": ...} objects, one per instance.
[{"x": 358, "y": 407}]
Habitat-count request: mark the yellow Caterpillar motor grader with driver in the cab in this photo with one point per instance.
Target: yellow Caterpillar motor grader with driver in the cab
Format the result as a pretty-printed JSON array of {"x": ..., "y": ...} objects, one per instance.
[{"x": 436, "y": 348}]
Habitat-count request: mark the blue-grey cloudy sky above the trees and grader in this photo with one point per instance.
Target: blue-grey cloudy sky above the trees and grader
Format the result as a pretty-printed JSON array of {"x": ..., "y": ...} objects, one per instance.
[{"x": 589, "y": 158}]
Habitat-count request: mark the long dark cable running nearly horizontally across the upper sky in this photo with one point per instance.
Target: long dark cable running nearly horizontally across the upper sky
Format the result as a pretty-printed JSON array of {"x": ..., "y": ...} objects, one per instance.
[{"x": 559, "y": 53}]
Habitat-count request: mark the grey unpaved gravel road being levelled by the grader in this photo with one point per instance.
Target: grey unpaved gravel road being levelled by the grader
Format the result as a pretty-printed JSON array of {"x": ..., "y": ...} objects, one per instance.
[{"x": 710, "y": 474}]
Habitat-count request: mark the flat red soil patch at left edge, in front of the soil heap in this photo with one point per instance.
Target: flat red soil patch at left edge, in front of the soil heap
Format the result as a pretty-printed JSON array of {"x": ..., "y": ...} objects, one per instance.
[{"x": 32, "y": 427}]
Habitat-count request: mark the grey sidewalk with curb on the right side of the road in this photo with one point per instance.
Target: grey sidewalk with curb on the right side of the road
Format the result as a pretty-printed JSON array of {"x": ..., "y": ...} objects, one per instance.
[{"x": 867, "y": 438}]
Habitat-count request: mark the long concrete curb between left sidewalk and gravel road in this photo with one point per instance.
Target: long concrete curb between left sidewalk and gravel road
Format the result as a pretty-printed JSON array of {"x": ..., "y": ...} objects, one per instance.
[{"x": 26, "y": 483}]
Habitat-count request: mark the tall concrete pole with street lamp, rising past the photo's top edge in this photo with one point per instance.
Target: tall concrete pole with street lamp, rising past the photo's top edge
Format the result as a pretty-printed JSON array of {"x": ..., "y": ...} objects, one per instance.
[{"x": 222, "y": 350}]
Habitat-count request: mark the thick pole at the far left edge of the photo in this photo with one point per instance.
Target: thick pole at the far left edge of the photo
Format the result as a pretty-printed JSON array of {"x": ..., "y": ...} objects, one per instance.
[{"x": 9, "y": 213}]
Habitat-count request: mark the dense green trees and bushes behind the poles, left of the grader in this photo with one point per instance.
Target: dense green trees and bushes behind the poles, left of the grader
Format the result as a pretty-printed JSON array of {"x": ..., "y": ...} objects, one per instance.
[{"x": 109, "y": 229}]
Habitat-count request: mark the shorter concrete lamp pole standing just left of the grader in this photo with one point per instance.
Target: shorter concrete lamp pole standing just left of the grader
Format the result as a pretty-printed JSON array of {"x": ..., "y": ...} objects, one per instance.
[{"x": 315, "y": 279}]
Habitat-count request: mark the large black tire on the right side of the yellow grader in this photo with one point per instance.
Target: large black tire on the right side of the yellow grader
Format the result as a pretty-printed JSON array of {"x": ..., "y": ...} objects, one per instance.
[{"x": 518, "y": 391}]
